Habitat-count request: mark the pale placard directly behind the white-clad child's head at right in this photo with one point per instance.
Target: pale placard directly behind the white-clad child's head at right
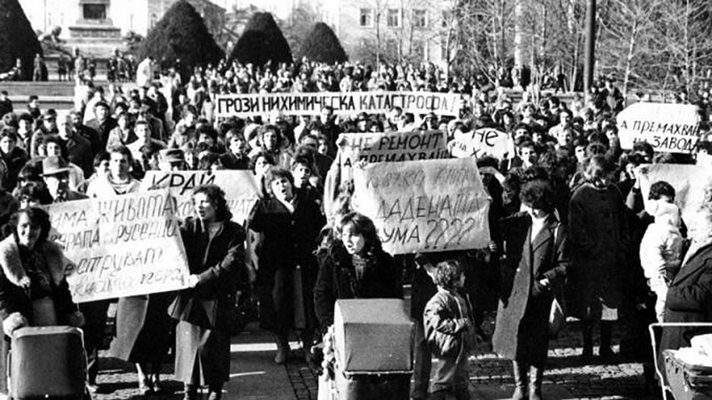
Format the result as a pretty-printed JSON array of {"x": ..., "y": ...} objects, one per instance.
[{"x": 690, "y": 183}]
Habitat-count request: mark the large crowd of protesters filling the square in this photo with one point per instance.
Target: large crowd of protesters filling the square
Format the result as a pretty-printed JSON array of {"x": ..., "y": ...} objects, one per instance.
[{"x": 567, "y": 222}]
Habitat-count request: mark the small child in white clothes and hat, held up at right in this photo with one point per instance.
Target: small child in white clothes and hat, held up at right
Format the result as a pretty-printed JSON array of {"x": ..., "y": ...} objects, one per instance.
[{"x": 661, "y": 252}]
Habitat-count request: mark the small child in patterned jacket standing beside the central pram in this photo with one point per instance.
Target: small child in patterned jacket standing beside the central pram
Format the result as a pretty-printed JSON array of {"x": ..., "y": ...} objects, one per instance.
[{"x": 449, "y": 329}]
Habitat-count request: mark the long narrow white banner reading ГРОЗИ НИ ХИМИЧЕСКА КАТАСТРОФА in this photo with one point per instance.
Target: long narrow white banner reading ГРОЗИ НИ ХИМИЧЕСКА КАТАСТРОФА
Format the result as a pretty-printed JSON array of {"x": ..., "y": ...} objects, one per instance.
[{"x": 248, "y": 105}]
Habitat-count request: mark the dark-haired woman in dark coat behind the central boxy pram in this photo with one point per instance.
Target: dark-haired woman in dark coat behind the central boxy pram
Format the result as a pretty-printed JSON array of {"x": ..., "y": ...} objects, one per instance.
[{"x": 355, "y": 266}]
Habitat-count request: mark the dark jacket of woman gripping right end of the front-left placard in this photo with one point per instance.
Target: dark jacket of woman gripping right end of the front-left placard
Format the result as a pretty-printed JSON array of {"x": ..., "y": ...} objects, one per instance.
[{"x": 218, "y": 263}]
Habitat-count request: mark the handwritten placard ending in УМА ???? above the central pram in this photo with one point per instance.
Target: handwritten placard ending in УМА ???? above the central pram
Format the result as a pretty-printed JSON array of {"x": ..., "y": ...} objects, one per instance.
[{"x": 425, "y": 206}]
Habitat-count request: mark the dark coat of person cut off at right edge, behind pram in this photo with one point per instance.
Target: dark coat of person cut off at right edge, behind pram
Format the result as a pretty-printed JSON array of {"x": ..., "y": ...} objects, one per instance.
[{"x": 689, "y": 299}]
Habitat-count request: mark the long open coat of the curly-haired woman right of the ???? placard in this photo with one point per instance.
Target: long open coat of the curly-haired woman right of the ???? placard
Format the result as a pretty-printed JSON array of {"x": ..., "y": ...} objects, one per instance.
[{"x": 521, "y": 329}]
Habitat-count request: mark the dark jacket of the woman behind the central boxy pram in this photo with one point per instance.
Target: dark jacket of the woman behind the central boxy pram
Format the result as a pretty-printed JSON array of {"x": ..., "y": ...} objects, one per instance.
[{"x": 337, "y": 280}]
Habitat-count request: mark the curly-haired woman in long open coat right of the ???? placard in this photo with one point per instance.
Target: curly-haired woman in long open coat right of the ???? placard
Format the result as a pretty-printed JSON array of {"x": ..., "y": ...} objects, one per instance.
[{"x": 534, "y": 272}]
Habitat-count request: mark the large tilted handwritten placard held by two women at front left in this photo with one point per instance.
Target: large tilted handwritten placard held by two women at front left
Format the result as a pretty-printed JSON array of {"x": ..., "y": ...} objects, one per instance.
[{"x": 128, "y": 245}]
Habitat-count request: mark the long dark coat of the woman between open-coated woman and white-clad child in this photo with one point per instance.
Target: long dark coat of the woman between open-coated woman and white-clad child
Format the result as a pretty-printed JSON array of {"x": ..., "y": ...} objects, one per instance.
[{"x": 599, "y": 238}]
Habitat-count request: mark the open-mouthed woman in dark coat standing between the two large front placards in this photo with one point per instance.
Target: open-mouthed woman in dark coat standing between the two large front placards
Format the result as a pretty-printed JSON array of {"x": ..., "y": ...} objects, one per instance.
[{"x": 289, "y": 225}]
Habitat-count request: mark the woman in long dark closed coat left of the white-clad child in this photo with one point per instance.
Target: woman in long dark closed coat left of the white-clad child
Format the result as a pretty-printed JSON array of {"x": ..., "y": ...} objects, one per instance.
[{"x": 599, "y": 237}]
